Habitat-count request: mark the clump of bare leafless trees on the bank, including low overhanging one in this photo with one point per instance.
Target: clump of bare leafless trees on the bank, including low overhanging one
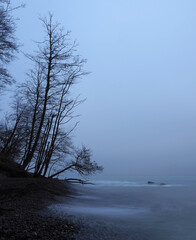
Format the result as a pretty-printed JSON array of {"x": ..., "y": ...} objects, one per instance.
[{"x": 45, "y": 107}]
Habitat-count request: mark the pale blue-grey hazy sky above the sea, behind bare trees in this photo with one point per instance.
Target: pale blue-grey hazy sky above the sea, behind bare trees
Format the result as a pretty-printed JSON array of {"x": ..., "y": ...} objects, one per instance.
[{"x": 140, "y": 113}]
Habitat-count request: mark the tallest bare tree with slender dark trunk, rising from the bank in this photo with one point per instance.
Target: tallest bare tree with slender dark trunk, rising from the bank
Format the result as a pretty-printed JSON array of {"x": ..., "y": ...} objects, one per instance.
[{"x": 58, "y": 68}]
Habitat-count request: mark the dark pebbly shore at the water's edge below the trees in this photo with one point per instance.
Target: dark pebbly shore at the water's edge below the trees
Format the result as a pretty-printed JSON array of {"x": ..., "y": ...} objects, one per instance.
[{"x": 22, "y": 201}]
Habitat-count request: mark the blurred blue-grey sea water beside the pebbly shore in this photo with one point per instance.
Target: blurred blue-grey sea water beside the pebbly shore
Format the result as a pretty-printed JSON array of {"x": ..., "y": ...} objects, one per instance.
[{"x": 135, "y": 209}]
